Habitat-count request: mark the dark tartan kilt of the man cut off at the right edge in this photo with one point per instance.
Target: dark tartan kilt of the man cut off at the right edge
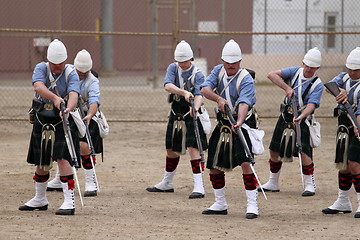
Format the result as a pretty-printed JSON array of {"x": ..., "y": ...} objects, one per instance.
[{"x": 354, "y": 143}]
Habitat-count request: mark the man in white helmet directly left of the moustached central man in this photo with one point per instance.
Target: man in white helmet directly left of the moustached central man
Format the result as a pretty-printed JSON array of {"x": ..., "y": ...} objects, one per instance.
[{"x": 182, "y": 82}]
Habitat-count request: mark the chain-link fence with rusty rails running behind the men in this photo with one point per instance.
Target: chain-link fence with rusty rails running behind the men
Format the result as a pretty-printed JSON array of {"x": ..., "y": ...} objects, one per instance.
[{"x": 132, "y": 43}]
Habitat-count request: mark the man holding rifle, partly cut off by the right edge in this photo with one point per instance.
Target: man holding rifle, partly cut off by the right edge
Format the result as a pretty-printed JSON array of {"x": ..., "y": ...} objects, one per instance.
[{"x": 347, "y": 156}]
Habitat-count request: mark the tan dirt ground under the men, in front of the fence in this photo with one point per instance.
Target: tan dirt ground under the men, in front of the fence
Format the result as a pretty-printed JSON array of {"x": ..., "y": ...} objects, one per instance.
[{"x": 133, "y": 160}]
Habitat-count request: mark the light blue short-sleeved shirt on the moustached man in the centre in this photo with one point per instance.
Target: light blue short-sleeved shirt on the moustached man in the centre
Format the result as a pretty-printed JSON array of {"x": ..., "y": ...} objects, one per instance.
[{"x": 246, "y": 93}]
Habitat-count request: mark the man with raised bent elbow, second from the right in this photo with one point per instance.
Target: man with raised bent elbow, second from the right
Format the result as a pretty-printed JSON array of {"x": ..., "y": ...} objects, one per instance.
[{"x": 306, "y": 87}]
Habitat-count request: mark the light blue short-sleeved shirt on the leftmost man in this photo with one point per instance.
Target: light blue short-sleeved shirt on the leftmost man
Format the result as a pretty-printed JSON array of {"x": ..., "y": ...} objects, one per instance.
[{"x": 64, "y": 87}]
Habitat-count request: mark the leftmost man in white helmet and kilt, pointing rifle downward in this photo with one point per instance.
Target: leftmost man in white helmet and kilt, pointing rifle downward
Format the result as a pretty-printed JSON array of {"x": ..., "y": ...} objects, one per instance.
[{"x": 55, "y": 83}]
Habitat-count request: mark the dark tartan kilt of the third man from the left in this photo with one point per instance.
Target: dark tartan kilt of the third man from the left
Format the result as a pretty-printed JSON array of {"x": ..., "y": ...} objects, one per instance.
[{"x": 182, "y": 107}]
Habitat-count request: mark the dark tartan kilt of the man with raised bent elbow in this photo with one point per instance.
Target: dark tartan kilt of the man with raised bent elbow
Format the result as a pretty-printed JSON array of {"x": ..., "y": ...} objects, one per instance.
[{"x": 305, "y": 137}]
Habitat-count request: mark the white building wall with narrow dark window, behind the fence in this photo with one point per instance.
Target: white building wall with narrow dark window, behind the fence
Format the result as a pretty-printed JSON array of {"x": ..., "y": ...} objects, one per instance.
[{"x": 289, "y": 16}]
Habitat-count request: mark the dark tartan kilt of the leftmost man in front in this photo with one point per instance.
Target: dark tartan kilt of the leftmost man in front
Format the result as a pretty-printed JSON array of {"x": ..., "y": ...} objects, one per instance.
[{"x": 60, "y": 150}]
